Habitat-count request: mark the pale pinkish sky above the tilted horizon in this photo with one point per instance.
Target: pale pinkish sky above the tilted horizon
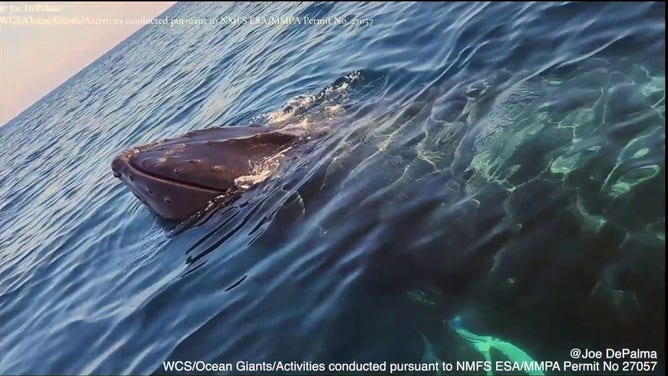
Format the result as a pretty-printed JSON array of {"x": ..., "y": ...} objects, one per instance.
[{"x": 43, "y": 44}]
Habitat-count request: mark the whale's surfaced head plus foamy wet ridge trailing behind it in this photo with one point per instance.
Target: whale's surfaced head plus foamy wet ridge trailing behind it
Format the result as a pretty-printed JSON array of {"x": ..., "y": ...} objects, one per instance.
[{"x": 179, "y": 177}]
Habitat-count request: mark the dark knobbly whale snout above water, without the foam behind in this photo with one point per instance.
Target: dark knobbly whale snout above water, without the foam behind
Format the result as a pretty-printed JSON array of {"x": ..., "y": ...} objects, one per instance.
[{"x": 179, "y": 177}]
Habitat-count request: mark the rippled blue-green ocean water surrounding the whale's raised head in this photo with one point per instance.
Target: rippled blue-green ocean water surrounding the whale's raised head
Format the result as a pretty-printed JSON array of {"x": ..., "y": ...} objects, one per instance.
[{"x": 488, "y": 176}]
